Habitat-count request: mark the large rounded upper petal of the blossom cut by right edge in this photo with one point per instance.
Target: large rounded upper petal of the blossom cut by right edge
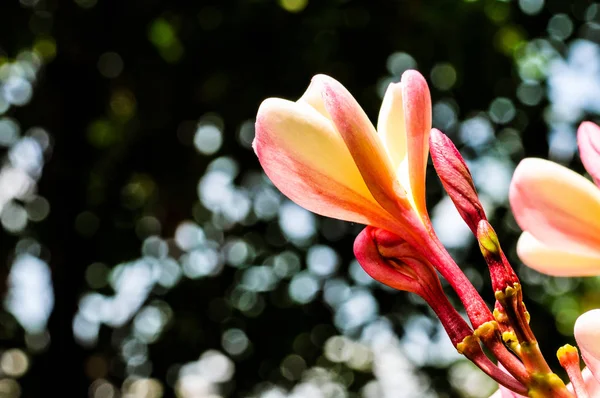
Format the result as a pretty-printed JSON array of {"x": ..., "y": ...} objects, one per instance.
[{"x": 556, "y": 205}]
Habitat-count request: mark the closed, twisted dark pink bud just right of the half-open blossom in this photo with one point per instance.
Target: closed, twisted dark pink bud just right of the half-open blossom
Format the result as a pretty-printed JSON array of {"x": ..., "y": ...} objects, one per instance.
[{"x": 456, "y": 178}]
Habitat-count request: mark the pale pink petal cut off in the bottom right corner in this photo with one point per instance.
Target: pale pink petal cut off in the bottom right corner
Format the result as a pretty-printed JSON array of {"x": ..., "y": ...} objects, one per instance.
[{"x": 587, "y": 334}]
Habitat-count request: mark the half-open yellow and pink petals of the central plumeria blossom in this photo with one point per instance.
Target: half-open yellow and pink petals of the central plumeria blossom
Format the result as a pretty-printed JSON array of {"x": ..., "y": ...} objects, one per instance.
[{"x": 323, "y": 152}]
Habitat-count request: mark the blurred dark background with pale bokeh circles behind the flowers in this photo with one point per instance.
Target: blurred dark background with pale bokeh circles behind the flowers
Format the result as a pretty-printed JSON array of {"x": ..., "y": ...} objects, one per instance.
[{"x": 145, "y": 254}]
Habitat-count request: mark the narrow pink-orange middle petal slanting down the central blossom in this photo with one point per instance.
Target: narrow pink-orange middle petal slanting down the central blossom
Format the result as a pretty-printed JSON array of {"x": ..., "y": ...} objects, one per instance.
[{"x": 364, "y": 145}]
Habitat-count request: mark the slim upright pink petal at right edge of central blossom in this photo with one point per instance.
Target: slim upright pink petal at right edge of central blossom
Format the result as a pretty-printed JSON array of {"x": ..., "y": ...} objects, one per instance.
[{"x": 417, "y": 111}]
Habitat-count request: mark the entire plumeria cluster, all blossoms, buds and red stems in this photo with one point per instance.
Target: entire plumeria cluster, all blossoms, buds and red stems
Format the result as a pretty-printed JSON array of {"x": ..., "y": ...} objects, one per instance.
[{"x": 324, "y": 154}]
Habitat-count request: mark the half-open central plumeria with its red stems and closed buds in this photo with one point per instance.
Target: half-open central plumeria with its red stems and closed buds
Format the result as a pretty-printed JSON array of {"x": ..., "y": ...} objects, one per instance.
[{"x": 324, "y": 154}]
